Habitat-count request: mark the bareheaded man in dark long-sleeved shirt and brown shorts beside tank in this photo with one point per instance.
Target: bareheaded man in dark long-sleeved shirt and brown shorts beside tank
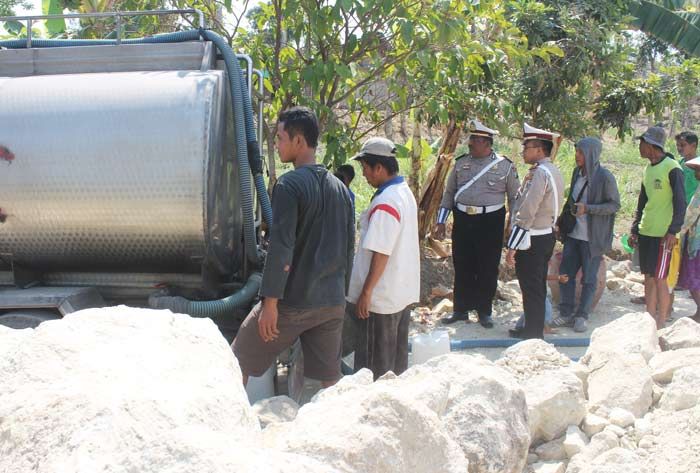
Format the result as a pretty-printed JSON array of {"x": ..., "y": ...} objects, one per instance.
[{"x": 308, "y": 264}]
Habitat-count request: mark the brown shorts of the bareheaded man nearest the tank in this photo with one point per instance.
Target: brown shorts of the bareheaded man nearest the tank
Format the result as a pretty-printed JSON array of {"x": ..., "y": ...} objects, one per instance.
[{"x": 319, "y": 331}]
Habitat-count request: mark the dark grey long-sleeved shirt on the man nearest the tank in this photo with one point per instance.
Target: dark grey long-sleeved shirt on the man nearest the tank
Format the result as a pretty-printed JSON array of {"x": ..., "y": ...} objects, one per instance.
[{"x": 312, "y": 240}]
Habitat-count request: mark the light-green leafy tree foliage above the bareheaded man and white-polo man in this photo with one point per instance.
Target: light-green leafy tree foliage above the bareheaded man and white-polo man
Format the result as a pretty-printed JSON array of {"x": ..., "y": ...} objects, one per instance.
[{"x": 363, "y": 62}]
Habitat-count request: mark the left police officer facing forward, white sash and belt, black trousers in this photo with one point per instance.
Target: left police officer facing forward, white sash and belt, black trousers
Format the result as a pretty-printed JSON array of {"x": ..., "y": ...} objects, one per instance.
[{"x": 476, "y": 191}]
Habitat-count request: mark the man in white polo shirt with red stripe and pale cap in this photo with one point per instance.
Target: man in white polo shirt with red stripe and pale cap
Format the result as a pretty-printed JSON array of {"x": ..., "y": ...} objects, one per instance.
[{"x": 385, "y": 277}]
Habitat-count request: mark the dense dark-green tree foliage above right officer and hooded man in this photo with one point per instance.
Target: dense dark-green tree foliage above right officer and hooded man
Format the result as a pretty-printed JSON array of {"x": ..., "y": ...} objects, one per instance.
[{"x": 558, "y": 93}]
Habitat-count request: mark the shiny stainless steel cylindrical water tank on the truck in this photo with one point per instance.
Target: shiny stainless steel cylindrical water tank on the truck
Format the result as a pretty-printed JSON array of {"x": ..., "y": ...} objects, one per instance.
[{"x": 127, "y": 171}]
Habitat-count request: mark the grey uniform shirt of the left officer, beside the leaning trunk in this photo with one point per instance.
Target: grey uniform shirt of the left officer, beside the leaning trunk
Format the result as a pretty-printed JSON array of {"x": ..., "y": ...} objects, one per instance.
[{"x": 488, "y": 190}]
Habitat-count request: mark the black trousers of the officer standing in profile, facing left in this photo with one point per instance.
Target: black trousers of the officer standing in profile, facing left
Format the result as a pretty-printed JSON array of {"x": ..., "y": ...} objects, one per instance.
[{"x": 531, "y": 269}]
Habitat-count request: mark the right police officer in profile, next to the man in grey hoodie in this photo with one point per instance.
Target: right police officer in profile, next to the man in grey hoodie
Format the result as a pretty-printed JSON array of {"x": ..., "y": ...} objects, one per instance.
[{"x": 533, "y": 216}]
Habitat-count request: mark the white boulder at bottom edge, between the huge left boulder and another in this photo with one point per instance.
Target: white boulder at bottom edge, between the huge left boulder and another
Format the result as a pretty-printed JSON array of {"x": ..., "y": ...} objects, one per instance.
[{"x": 375, "y": 429}]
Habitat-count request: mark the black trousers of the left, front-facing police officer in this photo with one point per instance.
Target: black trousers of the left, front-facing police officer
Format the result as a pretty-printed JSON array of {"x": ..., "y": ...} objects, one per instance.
[{"x": 477, "y": 241}]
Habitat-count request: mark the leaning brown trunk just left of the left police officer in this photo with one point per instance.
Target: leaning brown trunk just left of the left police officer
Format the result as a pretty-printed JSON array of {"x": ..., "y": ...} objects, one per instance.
[{"x": 435, "y": 182}]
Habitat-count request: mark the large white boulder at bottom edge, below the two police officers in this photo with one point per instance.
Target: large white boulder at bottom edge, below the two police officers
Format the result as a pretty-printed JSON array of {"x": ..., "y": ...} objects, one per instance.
[{"x": 486, "y": 413}]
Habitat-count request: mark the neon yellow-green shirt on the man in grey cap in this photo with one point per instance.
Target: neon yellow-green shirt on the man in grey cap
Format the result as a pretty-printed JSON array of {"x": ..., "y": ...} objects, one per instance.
[{"x": 658, "y": 211}]
